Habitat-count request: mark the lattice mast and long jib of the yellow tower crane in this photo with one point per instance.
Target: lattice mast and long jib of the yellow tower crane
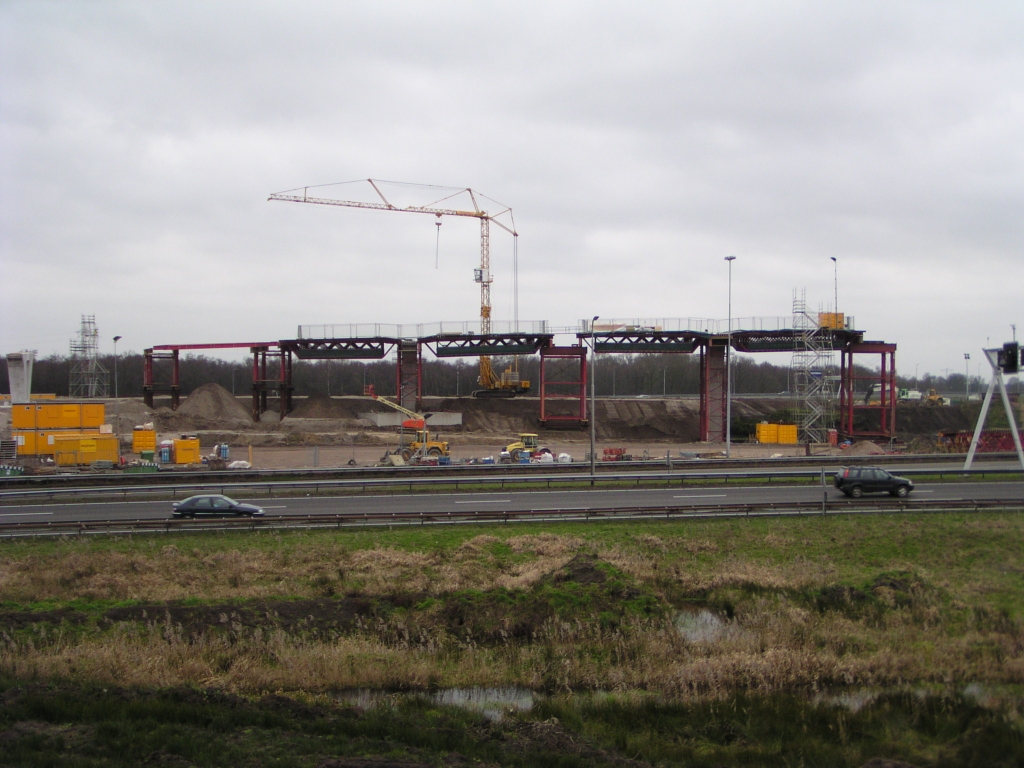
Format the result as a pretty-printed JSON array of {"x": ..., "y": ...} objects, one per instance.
[{"x": 488, "y": 379}]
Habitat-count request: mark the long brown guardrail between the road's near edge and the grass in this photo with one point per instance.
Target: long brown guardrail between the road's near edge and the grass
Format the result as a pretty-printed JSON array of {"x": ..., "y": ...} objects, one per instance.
[{"x": 380, "y": 520}]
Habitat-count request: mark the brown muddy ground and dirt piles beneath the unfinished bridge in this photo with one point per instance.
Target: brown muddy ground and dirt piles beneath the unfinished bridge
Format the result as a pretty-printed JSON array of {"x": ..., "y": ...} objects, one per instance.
[{"x": 333, "y": 432}]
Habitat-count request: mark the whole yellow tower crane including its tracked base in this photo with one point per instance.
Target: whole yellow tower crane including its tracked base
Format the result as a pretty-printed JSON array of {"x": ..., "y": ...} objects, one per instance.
[{"x": 507, "y": 386}]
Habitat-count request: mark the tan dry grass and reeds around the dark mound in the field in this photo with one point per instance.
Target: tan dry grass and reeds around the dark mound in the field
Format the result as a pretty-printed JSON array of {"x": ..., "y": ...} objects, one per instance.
[{"x": 958, "y": 620}]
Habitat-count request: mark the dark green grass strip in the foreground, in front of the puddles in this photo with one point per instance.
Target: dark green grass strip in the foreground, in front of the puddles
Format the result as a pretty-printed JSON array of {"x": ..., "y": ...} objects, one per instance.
[{"x": 71, "y": 726}]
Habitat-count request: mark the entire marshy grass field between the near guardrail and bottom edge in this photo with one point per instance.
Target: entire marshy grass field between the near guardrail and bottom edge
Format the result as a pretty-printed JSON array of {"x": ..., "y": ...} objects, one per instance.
[{"x": 690, "y": 644}]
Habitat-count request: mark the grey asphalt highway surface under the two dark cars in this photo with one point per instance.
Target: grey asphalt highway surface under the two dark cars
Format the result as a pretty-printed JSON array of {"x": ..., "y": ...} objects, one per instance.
[{"x": 520, "y": 501}]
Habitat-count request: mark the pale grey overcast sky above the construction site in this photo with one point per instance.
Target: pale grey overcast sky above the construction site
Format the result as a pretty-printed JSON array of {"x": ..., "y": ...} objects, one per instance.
[{"x": 638, "y": 145}]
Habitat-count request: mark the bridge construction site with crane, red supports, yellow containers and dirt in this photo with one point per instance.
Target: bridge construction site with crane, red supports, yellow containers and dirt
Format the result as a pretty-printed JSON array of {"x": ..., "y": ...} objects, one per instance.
[{"x": 843, "y": 393}]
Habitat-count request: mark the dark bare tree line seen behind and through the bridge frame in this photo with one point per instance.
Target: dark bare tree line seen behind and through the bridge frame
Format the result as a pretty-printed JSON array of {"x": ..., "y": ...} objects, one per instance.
[{"x": 617, "y": 375}]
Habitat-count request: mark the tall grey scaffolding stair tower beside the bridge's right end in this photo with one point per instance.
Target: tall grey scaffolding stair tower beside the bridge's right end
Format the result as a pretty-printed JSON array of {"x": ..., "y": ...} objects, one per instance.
[{"x": 813, "y": 369}]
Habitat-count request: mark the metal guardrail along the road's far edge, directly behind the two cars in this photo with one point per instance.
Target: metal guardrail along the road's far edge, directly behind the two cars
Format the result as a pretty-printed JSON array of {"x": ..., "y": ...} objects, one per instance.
[{"x": 455, "y": 484}]
